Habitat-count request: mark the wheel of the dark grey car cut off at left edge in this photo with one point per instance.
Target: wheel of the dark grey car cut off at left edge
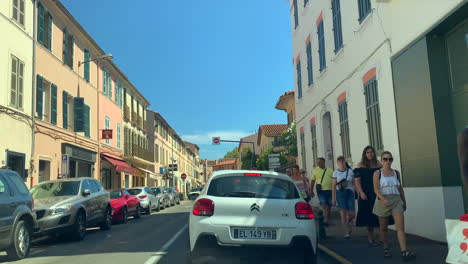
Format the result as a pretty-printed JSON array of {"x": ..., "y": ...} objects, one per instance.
[{"x": 19, "y": 249}]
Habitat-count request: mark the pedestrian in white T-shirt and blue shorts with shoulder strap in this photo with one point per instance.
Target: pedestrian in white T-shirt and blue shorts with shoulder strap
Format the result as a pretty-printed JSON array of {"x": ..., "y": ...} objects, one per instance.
[{"x": 343, "y": 193}]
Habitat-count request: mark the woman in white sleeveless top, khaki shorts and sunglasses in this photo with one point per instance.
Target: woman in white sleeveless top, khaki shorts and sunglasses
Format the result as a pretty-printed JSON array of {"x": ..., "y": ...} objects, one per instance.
[{"x": 390, "y": 201}]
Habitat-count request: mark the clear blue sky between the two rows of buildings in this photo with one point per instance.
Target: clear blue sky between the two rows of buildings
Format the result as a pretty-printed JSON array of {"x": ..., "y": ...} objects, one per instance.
[{"x": 211, "y": 68}]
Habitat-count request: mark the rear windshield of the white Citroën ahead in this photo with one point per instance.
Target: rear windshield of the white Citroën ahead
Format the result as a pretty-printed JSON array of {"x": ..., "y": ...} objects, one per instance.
[{"x": 253, "y": 187}]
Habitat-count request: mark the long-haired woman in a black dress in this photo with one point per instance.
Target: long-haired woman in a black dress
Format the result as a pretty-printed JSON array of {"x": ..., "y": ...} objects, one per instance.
[{"x": 364, "y": 173}]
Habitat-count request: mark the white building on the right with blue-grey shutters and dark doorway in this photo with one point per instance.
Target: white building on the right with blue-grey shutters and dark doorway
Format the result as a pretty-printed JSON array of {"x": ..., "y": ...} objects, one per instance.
[{"x": 368, "y": 73}]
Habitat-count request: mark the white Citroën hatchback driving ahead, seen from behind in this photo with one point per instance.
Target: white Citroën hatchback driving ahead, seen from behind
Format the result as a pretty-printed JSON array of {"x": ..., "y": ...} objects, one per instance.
[{"x": 251, "y": 209}]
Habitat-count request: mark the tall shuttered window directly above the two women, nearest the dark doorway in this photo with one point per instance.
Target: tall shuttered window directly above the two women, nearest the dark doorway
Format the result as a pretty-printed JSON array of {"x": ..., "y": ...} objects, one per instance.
[{"x": 373, "y": 114}]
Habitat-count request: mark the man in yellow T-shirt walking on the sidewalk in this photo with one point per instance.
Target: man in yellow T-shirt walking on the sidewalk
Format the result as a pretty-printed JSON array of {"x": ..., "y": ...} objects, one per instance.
[{"x": 322, "y": 181}]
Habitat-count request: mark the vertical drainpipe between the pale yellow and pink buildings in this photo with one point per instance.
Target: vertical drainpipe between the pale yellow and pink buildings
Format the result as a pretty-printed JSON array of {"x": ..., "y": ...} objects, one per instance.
[{"x": 33, "y": 96}]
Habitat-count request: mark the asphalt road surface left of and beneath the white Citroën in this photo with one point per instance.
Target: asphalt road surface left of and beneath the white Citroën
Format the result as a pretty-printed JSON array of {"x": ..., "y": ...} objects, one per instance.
[{"x": 161, "y": 237}]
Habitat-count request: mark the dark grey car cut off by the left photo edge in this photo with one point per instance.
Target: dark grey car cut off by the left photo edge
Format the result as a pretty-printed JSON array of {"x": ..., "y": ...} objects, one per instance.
[{"x": 17, "y": 220}]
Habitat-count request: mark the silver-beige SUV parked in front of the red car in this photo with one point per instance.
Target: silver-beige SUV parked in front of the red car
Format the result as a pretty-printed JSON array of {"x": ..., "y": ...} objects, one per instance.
[{"x": 71, "y": 205}]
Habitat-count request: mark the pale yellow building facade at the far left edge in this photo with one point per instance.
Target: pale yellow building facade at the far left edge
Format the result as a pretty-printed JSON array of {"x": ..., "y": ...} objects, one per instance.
[{"x": 16, "y": 86}]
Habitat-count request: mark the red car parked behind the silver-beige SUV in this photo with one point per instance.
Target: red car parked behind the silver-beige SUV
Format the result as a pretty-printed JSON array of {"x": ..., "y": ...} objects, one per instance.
[{"x": 124, "y": 205}]
